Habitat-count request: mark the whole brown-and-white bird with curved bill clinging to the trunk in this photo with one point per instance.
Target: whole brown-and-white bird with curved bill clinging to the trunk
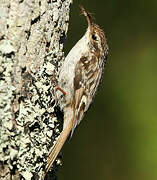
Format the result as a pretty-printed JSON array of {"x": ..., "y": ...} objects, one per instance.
[{"x": 79, "y": 77}]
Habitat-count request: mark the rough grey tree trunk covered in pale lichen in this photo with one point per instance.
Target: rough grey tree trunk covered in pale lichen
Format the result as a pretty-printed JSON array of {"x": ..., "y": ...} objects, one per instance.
[{"x": 32, "y": 34}]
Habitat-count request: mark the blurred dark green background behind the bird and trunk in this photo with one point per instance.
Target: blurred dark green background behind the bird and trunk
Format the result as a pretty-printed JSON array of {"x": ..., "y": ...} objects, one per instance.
[{"x": 117, "y": 140}]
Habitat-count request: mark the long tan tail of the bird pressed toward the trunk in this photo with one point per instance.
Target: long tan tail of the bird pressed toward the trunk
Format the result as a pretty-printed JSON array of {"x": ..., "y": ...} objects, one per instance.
[{"x": 57, "y": 146}]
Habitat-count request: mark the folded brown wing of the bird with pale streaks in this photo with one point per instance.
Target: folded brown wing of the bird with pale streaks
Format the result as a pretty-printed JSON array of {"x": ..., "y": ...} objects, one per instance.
[{"x": 87, "y": 78}]
